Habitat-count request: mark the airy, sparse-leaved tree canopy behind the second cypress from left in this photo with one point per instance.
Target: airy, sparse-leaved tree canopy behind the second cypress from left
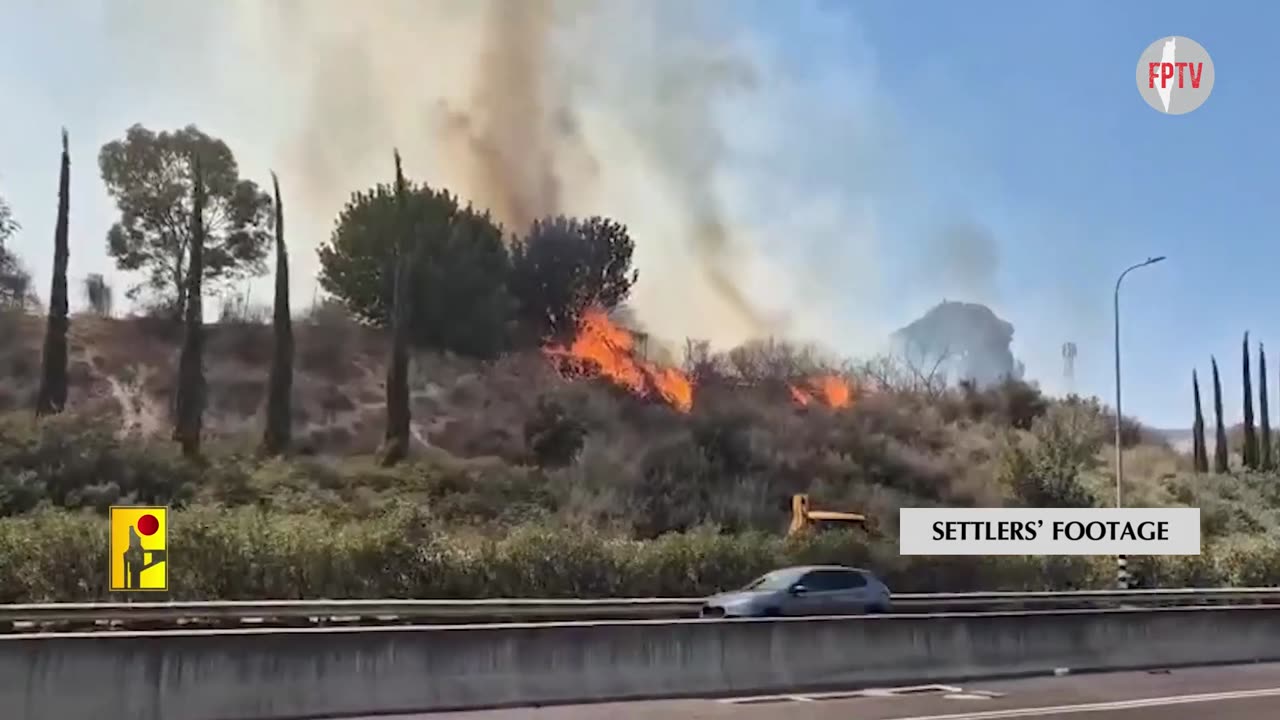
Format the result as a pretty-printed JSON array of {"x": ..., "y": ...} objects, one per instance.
[{"x": 149, "y": 175}]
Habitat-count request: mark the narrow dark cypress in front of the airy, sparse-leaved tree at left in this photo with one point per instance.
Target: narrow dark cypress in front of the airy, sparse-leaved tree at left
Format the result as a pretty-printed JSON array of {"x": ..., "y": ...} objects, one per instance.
[{"x": 191, "y": 373}]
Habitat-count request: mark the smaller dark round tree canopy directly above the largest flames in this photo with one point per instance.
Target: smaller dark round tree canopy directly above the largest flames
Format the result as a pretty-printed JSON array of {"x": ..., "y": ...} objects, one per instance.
[{"x": 566, "y": 266}]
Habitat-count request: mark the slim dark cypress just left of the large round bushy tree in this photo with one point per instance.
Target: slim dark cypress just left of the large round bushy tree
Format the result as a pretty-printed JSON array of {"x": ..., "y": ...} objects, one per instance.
[{"x": 277, "y": 438}]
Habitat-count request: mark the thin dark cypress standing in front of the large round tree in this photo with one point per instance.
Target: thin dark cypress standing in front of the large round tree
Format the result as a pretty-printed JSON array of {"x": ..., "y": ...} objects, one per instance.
[{"x": 396, "y": 446}]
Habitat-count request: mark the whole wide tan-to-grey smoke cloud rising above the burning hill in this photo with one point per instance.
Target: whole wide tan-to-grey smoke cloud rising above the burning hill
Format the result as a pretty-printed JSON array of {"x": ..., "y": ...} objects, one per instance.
[{"x": 735, "y": 153}]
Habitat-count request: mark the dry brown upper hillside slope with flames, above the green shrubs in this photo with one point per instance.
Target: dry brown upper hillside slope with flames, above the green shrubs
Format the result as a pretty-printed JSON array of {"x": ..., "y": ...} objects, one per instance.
[{"x": 723, "y": 438}]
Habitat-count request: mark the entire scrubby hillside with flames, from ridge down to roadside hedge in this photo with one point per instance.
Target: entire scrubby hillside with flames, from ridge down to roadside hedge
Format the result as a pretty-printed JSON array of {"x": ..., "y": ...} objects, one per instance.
[{"x": 580, "y": 470}]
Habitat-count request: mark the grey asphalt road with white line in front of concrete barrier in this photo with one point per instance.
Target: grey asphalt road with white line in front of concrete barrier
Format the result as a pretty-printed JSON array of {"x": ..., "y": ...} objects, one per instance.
[{"x": 1247, "y": 692}]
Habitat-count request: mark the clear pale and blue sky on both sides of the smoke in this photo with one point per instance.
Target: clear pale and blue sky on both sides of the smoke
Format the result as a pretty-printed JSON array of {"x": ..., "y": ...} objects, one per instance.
[{"x": 1021, "y": 119}]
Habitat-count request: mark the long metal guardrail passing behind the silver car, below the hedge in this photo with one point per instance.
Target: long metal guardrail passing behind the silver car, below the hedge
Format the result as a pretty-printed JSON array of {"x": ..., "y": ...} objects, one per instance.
[{"x": 373, "y": 612}]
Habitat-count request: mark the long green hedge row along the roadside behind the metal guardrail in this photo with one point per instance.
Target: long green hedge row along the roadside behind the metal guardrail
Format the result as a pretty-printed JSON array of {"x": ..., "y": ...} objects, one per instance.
[{"x": 249, "y": 554}]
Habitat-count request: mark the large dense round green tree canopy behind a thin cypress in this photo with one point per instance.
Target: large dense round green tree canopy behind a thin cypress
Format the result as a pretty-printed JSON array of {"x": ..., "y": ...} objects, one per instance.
[{"x": 458, "y": 282}]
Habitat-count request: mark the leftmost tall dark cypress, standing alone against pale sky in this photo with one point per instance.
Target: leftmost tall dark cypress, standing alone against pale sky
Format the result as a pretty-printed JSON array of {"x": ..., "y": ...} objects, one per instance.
[{"x": 52, "y": 397}]
